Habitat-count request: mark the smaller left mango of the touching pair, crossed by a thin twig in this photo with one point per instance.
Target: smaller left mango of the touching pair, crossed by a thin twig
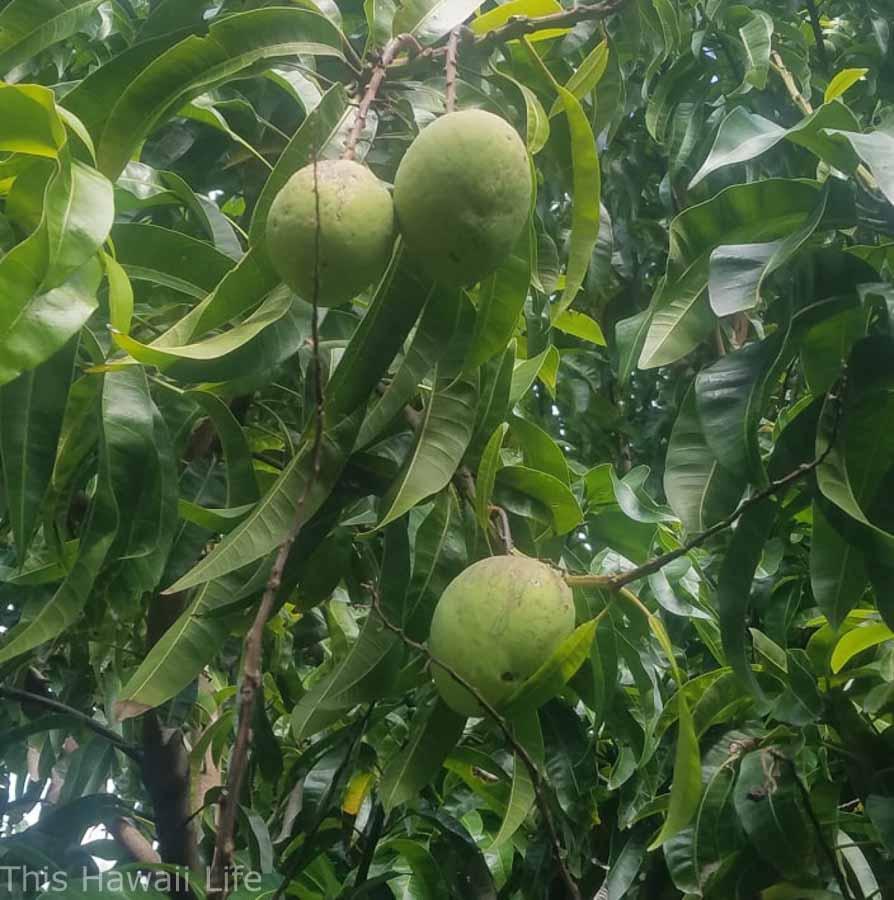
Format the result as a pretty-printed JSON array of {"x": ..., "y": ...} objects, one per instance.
[{"x": 356, "y": 233}]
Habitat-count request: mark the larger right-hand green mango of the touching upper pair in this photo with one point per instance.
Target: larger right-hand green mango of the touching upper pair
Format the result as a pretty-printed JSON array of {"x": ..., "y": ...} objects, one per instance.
[{"x": 462, "y": 194}]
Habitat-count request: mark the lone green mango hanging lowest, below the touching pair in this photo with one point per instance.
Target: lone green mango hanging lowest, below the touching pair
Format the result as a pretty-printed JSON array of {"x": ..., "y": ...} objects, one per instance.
[{"x": 495, "y": 625}]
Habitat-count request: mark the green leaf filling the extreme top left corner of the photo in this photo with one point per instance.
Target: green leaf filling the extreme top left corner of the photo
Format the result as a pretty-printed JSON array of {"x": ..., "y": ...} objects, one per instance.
[{"x": 28, "y": 27}]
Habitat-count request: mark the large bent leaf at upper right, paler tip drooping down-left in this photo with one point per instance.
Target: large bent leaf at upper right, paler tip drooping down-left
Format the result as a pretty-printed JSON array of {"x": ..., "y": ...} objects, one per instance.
[{"x": 756, "y": 212}]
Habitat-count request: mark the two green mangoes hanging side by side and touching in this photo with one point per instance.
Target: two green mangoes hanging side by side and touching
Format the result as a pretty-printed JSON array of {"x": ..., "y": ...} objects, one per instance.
[{"x": 461, "y": 198}]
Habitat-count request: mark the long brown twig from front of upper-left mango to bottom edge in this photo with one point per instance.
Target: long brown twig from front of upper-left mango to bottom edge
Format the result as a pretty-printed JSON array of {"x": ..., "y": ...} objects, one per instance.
[{"x": 252, "y": 673}]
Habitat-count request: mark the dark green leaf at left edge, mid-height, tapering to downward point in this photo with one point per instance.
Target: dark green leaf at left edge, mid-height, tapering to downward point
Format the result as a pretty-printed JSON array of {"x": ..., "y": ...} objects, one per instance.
[{"x": 31, "y": 410}]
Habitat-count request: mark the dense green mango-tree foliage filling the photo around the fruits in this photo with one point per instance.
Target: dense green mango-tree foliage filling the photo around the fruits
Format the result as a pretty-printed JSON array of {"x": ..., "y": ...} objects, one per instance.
[{"x": 701, "y": 304}]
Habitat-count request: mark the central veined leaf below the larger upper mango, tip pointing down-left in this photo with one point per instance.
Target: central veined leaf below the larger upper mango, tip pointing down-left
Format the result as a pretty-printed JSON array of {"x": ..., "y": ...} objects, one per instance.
[{"x": 442, "y": 438}]
